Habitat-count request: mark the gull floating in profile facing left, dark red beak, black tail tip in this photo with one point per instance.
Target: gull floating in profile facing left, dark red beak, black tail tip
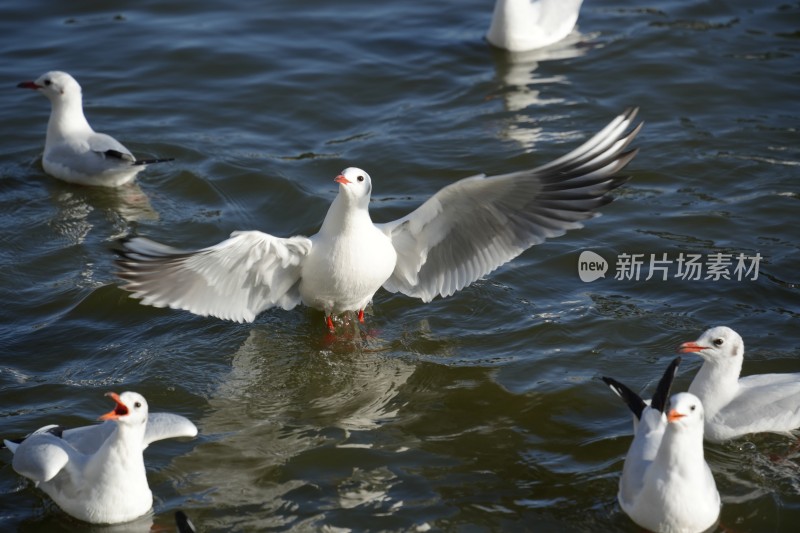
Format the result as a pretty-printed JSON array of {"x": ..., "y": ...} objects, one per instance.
[{"x": 73, "y": 151}]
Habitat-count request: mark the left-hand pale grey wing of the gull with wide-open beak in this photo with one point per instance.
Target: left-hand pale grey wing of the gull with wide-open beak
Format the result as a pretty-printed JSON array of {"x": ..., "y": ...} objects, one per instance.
[{"x": 41, "y": 456}]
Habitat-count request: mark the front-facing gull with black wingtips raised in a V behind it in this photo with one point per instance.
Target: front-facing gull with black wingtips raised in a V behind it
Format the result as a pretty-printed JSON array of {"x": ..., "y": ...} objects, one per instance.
[{"x": 666, "y": 484}]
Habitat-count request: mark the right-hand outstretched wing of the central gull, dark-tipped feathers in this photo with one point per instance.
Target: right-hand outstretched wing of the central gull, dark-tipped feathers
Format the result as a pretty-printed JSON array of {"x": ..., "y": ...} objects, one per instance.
[{"x": 475, "y": 225}]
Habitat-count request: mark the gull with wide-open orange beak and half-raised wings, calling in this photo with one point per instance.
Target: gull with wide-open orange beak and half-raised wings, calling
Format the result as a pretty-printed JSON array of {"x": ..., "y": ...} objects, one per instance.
[{"x": 96, "y": 473}]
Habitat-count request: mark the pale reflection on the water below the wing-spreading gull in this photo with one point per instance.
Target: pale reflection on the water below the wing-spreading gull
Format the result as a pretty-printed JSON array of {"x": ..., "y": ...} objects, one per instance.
[{"x": 291, "y": 424}]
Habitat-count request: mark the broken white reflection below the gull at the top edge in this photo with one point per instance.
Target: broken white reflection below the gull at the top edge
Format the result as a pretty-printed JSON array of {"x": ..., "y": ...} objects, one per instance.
[{"x": 523, "y": 87}]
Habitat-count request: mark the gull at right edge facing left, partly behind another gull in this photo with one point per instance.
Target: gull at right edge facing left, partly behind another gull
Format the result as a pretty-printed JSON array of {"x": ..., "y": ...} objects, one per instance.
[{"x": 734, "y": 406}]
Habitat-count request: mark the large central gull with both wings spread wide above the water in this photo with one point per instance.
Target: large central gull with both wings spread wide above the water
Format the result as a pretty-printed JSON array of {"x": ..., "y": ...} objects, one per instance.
[{"x": 462, "y": 233}]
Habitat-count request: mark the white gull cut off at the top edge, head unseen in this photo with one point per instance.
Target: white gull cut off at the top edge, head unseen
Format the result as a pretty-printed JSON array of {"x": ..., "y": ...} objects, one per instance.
[{"x": 521, "y": 25}]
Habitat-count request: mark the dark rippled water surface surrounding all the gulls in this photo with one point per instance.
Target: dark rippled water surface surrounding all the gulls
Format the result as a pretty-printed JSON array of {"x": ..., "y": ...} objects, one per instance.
[{"x": 482, "y": 411}]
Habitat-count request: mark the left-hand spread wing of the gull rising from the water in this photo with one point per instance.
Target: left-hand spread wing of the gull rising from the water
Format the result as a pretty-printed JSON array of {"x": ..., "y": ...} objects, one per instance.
[{"x": 234, "y": 280}]
